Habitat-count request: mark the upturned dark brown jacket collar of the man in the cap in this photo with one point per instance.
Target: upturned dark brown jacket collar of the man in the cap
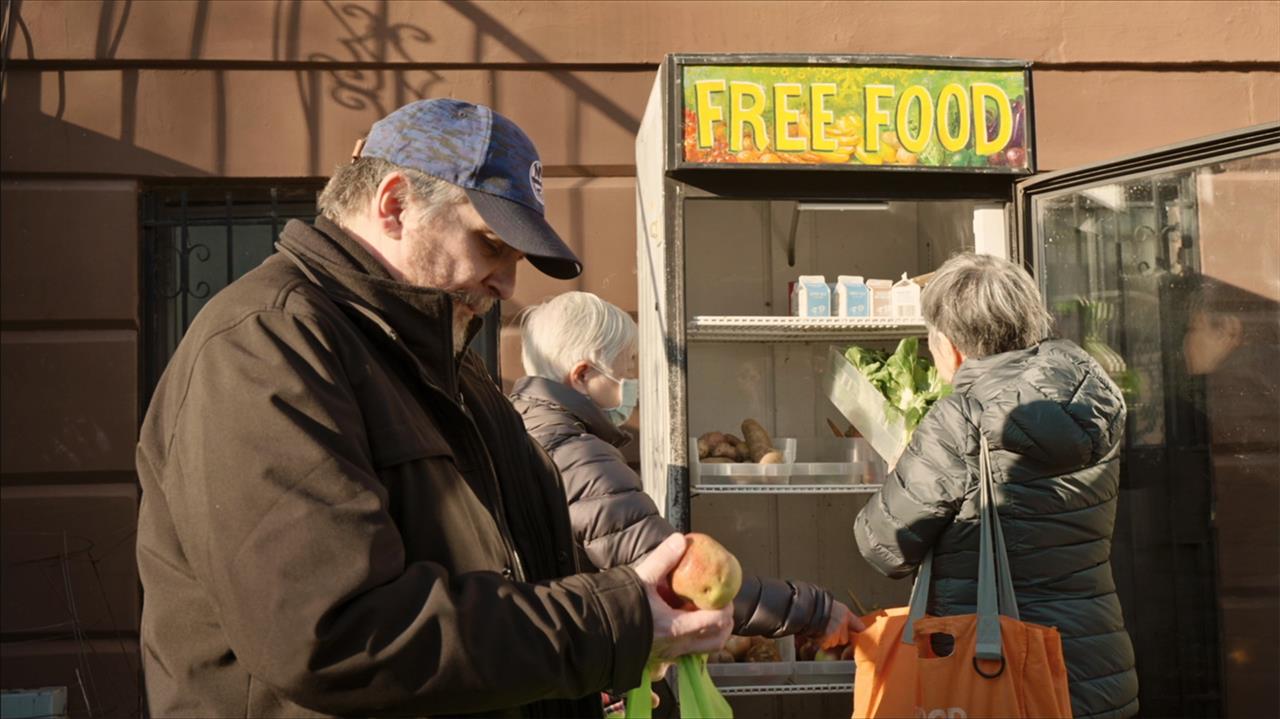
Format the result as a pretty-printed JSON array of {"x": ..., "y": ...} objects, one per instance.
[{"x": 422, "y": 317}]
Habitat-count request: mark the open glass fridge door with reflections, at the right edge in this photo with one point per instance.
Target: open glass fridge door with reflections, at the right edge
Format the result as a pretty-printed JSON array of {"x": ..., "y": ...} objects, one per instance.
[{"x": 1165, "y": 268}]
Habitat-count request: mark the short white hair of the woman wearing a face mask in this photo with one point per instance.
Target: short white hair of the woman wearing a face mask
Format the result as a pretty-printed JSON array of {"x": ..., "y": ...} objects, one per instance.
[{"x": 568, "y": 329}]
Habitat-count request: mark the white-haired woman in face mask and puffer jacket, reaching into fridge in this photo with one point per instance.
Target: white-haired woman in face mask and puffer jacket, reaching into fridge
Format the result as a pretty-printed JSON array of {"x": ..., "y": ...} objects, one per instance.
[{"x": 580, "y": 356}]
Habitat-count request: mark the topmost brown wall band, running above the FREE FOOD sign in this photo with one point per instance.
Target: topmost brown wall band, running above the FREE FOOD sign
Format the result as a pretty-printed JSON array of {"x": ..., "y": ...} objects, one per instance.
[{"x": 642, "y": 33}]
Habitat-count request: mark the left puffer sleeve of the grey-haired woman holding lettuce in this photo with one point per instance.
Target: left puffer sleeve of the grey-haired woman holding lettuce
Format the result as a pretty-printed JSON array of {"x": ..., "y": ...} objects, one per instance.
[{"x": 921, "y": 497}]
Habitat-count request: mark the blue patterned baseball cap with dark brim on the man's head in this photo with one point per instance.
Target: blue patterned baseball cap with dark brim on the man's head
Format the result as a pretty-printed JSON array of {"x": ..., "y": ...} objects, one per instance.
[{"x": 491, "y": 159}]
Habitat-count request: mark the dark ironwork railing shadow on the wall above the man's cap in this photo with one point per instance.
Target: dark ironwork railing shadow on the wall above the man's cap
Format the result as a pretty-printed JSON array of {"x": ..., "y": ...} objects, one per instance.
[{"x": 374, "y": 74}]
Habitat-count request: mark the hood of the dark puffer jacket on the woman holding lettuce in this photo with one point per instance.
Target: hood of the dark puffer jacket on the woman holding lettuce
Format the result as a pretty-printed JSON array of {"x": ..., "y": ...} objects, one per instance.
[{"x": 1050, "y": 404}]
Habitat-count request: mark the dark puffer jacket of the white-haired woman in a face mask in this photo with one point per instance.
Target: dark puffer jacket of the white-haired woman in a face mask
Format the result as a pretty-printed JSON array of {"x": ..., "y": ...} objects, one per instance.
[{"x": 615, "y": 523}]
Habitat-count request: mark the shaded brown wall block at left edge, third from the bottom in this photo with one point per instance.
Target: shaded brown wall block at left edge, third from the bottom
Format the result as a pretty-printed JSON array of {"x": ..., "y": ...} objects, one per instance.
[{"x": 70, "y": 401}]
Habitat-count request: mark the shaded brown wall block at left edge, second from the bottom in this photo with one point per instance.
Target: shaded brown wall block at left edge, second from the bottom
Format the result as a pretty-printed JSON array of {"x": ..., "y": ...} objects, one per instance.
[{"x": 77, "y": 537}]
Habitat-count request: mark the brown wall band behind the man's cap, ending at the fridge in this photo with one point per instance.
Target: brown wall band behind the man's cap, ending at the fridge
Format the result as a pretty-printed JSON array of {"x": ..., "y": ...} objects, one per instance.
[{"x": 249, "y": 123}]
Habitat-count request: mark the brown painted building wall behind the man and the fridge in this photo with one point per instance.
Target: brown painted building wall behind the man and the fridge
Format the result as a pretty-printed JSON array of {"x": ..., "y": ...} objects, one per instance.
[{"x": 100, "y": 98}]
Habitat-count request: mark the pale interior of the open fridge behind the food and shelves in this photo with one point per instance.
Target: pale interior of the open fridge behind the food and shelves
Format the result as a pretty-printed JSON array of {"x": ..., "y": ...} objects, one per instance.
[{"x": 737, "y": 264}]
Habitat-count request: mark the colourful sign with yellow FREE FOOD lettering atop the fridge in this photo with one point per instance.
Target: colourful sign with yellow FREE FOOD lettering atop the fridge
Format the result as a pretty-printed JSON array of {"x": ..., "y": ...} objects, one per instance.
[{"x": 856, "y": 116}]
